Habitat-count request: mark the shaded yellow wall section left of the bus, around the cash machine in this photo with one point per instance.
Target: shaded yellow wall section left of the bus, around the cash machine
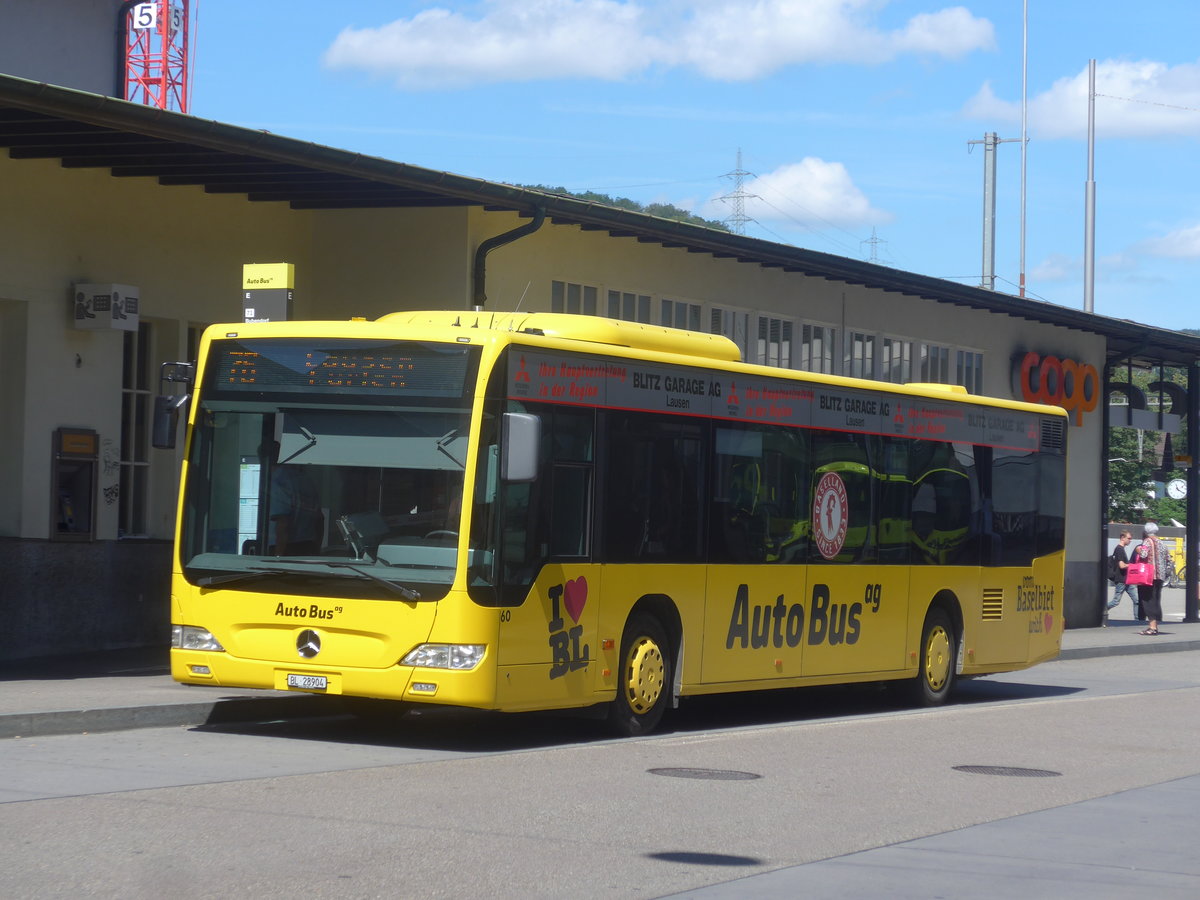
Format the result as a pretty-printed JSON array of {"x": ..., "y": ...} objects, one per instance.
[{"x": 181, "y": 248}]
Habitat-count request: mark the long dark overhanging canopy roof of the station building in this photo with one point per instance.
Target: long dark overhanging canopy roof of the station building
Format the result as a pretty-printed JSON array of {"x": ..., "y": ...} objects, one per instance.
[{"x": 134, "y": 141}]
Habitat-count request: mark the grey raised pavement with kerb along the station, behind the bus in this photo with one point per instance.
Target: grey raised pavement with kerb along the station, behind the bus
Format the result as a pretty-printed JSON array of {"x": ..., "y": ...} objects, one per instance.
[{"x": 134, "y": 689}]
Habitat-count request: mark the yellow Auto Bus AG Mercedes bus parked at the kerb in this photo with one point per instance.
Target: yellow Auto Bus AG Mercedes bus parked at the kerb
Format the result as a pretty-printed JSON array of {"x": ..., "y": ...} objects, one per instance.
[{"x": 548, "y": 512}]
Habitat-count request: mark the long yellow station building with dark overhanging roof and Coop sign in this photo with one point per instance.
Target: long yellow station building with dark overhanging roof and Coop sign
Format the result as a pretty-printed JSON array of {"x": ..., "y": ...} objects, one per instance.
[{"x": 127, "y": 231}]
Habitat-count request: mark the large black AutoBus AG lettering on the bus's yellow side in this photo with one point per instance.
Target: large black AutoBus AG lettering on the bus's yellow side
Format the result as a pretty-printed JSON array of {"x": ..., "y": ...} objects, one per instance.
[{"x": 759, "y": 626}]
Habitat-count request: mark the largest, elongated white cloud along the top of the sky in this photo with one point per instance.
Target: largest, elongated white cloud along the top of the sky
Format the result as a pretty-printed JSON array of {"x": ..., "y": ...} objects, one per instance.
[{"x": 613, "y": 40}]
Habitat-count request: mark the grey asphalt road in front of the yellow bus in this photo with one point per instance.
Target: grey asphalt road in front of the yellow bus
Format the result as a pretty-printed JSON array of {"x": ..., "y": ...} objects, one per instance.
[{"x": 821, "y": 794}]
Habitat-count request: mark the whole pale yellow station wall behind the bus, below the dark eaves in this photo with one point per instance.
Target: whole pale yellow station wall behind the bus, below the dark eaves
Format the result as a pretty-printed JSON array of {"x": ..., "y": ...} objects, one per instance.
[{"x": 184, "y": 250}]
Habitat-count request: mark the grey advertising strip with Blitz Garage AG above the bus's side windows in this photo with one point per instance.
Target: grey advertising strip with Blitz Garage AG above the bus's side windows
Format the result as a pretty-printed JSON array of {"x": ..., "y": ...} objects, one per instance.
[{"x": 683, "y": 391}]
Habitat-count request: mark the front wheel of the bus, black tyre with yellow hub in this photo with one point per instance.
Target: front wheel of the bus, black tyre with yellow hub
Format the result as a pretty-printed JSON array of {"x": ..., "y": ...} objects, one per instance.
[{"x": 645, "y": 679}]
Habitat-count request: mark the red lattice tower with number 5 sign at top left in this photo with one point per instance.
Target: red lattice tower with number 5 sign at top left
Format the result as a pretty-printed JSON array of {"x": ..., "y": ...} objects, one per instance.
[{"x": 157, "y": 44}]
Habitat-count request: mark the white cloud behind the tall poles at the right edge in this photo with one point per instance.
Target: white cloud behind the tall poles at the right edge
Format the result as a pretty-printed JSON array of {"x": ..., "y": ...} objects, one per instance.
[{"x": 1135, "y": 99}]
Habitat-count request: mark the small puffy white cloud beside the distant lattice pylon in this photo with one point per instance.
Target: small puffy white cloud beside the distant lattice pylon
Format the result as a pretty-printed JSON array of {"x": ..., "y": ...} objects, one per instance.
[{"x": 812, "y": 194}]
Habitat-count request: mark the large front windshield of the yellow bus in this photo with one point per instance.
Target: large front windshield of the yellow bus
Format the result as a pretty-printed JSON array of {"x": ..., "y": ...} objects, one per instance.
[{"x": 290, "y": 489}]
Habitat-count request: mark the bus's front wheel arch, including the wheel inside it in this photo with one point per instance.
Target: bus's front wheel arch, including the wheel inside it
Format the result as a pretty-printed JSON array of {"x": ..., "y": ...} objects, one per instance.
[{"x": 647, "y": 667}]
